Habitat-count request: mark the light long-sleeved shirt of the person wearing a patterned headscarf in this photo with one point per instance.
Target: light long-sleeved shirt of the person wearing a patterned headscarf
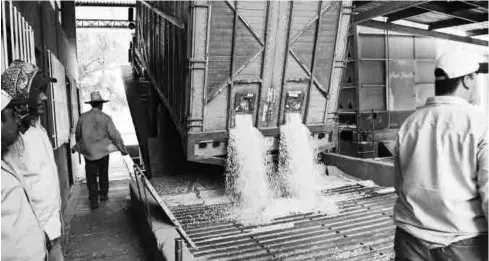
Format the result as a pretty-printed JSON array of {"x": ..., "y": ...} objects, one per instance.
[{"x": 33, "y": 157}]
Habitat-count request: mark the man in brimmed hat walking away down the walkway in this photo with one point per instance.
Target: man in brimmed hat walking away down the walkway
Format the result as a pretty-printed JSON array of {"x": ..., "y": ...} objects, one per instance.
[{"x": 96, "y": 137}]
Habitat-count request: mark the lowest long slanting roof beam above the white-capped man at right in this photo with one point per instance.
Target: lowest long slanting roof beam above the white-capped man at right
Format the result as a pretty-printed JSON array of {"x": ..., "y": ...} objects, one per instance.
[{"x": 416, "y": 31}]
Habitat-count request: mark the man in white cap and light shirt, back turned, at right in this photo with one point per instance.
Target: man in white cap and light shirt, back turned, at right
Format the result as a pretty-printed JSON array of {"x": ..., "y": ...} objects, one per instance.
[{"x": 441, "y": 169}]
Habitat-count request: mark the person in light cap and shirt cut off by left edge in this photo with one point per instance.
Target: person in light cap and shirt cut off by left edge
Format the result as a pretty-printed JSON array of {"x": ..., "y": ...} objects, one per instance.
[{"x": 22, "y": 235}]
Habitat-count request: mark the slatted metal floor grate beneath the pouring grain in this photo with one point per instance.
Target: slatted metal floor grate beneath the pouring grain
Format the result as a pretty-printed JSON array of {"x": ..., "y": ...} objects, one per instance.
[{"x": 364, "y": 230}]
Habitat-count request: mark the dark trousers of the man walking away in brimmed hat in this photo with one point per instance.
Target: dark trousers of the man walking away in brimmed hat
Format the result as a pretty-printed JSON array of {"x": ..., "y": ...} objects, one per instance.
[{"x": 93, "y": 169}]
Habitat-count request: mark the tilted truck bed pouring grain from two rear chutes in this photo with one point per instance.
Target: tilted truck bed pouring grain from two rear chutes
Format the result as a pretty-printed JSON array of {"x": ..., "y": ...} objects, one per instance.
[{"x": 207, "y": 60}]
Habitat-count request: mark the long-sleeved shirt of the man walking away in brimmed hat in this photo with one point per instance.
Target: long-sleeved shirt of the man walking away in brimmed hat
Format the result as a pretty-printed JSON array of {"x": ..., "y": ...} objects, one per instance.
[{"x": 97, "y": 136}]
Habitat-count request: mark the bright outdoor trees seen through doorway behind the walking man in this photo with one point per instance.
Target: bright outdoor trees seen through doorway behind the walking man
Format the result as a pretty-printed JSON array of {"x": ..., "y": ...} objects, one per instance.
[{"x": 101, "y": 53}]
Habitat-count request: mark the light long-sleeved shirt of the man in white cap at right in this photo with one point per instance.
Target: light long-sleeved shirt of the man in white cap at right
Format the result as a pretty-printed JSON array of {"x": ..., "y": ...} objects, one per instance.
[{"x": 441, "y": 172}]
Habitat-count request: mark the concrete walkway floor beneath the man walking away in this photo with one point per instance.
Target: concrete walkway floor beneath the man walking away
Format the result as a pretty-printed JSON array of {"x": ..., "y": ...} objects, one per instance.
[{"x": 107, "y": 233}]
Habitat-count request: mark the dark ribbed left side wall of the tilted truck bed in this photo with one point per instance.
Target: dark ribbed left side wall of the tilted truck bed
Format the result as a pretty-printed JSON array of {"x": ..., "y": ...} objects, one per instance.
[{"x": 163, "y": 47}]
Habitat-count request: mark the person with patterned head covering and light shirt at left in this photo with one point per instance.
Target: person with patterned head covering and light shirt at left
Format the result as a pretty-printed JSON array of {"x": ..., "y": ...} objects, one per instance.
[{"x": 32, "y": 153}]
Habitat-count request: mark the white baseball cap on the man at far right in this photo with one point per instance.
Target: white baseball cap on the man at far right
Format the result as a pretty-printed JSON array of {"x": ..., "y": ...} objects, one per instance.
[{"x": 459, "y": 63}]
